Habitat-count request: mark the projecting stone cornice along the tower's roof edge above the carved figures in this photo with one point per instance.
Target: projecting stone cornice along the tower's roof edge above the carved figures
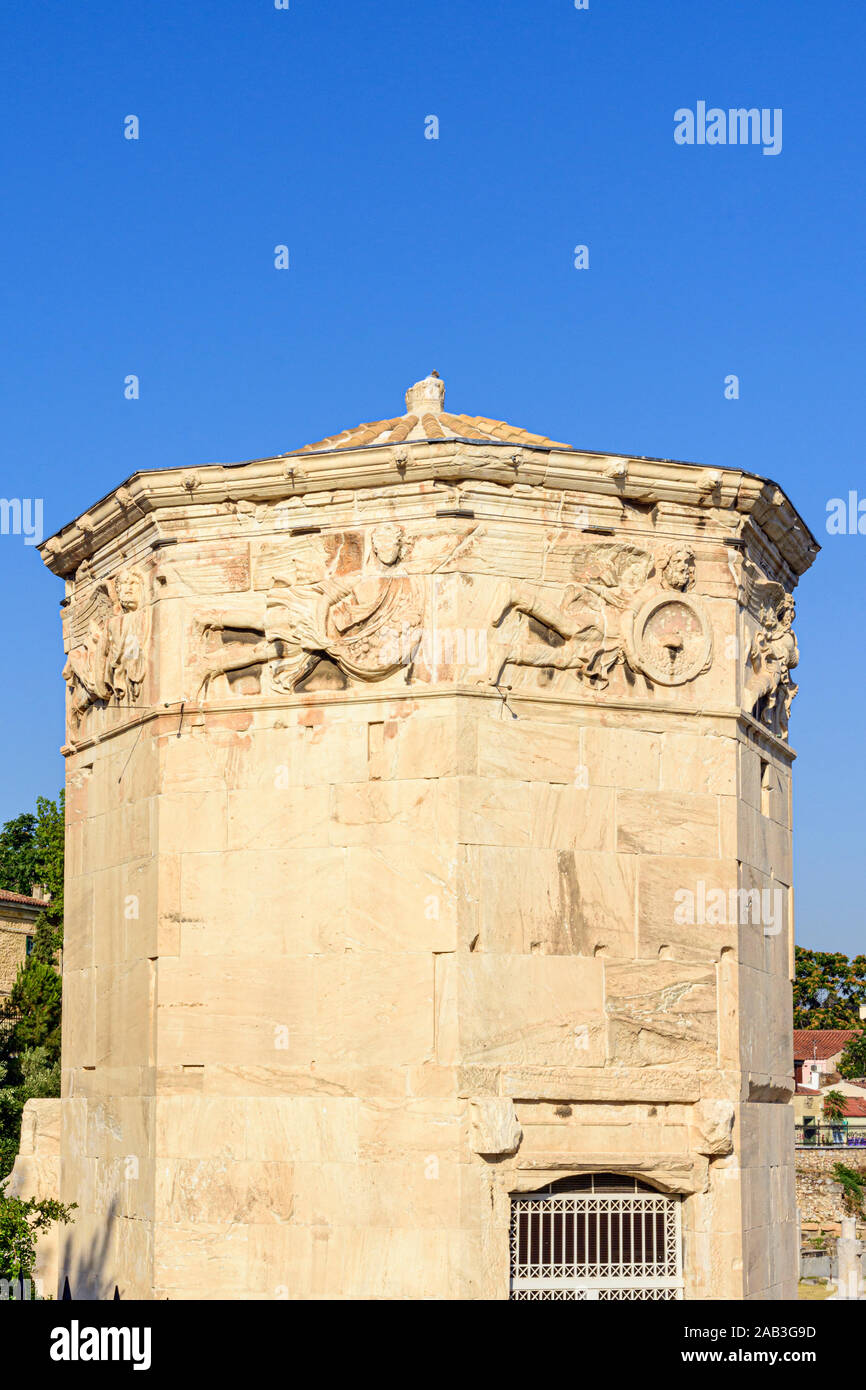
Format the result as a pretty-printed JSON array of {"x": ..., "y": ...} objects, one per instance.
[{"x": 144, "y": 501}]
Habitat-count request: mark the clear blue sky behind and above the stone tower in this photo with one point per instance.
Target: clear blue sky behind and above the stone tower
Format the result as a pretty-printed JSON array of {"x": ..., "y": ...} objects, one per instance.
[{"x": 307, "y": 127}]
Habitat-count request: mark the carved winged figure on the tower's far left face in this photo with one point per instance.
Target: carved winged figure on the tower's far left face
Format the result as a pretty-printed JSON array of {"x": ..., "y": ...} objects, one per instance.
[{"x": 109, "y": 641}]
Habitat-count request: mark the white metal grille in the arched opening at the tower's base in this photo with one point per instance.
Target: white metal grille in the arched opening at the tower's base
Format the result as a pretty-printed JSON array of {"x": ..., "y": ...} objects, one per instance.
[{"x": 597, "y": 1238}]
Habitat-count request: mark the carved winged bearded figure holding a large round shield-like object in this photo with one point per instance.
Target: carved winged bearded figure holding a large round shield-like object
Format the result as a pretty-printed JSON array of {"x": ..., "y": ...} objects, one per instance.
[{"x": 614, "y": 616}]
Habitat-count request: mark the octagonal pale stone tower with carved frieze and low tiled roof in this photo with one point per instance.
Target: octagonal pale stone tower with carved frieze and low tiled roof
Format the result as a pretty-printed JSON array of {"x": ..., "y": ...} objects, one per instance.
[{"x": 429, "y": 844}]
